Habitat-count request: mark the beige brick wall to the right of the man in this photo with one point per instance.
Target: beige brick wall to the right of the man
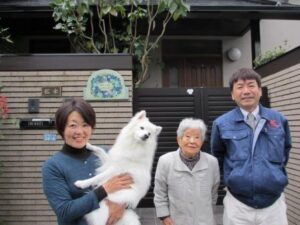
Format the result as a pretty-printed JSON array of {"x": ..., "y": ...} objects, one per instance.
[{"x": 284, "y": 94}]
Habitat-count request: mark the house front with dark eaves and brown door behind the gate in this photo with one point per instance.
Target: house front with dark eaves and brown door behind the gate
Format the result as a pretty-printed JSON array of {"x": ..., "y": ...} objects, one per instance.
[{"x": 194, "y": 50}]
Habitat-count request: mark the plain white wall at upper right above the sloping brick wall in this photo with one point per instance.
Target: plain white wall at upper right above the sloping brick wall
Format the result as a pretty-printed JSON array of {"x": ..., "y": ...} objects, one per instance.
[{"x": 275, "y": 33}]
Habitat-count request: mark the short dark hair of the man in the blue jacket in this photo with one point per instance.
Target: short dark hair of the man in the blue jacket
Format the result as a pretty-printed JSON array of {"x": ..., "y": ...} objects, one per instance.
[{"x": 244, "y": 74}]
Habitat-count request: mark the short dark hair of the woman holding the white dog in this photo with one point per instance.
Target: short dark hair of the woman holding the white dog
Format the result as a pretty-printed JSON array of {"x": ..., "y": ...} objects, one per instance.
[{"x": 75, "y": 104}]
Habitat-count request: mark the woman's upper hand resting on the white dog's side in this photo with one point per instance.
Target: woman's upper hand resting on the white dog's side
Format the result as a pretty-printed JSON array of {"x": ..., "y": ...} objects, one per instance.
[{"x": 117, "y": 183}]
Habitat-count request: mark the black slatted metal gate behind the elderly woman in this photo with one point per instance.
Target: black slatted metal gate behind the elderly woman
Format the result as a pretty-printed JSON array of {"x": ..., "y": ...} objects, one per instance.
[{"x": 166, "y": 107}]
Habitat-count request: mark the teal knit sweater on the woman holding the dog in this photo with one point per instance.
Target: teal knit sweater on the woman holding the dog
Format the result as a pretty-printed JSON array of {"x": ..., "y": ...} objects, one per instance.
[{"x": 60, "y": 172}]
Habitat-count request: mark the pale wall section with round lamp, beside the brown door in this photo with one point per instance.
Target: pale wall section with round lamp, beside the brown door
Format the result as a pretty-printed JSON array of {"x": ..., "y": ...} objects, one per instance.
[{"x": 244, "y": 44}]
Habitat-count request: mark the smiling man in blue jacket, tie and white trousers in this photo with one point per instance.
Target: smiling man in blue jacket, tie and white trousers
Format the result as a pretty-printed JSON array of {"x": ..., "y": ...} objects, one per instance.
[{"x": 252, "y": 144}]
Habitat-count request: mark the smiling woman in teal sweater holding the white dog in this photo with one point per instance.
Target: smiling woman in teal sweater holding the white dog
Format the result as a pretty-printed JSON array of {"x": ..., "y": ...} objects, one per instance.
[{"x": 75, "y": 121}]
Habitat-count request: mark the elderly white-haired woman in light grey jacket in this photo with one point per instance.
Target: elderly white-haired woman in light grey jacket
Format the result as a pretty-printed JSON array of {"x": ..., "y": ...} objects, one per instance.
[{"x": 187, "y": 180}]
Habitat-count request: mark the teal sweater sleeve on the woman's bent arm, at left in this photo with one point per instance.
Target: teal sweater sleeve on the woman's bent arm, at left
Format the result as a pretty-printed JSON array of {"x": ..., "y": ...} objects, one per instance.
[{"x": 56, "y": 189}]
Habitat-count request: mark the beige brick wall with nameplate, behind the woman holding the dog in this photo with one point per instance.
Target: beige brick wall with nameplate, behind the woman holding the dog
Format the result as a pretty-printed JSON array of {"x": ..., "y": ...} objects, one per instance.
[{"x": 23, "y": 151}]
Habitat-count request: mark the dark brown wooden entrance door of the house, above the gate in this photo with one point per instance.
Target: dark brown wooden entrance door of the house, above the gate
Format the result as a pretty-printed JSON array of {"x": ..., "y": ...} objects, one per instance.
[{"x": 192, "y": 63}]
